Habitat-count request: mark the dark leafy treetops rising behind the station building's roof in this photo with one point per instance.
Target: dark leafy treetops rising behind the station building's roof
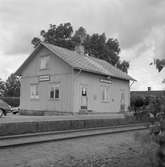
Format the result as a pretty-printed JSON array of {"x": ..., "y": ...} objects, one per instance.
[{"x": 96, "y": 45}]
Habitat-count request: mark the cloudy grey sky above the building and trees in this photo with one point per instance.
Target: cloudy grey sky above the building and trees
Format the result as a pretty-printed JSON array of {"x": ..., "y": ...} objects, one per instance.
[{"x": 139, "y": 25}]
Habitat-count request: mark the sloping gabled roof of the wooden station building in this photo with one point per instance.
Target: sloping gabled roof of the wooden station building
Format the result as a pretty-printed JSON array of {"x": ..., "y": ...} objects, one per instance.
[{"x": 83, "y": 62}]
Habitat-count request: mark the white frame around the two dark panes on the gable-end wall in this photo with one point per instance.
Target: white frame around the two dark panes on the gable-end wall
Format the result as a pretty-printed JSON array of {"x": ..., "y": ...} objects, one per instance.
[{"x": 53, "y": 89}]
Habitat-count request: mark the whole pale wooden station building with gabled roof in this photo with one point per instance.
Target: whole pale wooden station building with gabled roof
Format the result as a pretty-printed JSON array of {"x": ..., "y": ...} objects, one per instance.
[{"x": 58, "y": 80}]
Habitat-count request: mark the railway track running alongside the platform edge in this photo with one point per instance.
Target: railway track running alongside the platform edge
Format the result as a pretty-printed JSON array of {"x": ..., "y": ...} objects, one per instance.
[{"x": 34, "y": 138}]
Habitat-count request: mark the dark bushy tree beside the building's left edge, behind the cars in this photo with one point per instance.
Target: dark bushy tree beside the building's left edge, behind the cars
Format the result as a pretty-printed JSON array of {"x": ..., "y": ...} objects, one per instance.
[{"x": 12, "y": 86}]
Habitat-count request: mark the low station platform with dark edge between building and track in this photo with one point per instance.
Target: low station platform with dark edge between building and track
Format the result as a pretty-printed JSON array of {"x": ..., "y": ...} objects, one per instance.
[{"x": 18, "y": 124}]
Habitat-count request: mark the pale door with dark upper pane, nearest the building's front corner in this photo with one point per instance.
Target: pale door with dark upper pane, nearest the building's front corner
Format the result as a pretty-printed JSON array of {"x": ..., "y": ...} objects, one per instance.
[{"x": 83, "y": 97}]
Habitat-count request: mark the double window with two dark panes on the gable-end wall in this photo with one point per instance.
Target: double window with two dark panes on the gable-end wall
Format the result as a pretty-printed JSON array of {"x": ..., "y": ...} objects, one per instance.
[{"x": 55, "y": 92}]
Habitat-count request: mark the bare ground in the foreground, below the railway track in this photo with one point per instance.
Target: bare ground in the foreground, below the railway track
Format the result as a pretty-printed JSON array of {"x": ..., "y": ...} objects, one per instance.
[{"x": 116, "y": 150}]
